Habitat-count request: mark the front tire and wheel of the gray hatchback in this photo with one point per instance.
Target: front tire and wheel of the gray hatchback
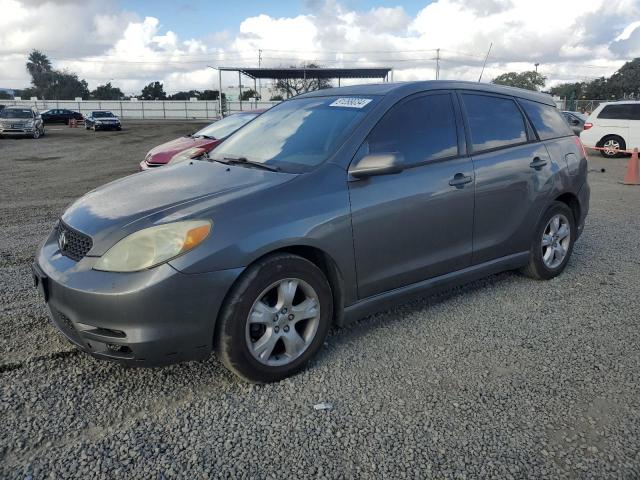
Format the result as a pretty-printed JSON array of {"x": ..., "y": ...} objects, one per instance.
[{"x": 258, "y": 294}]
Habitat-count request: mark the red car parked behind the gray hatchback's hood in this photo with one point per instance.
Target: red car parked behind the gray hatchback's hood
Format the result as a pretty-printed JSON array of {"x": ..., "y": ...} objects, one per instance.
[{"x": 199, "y": 143}]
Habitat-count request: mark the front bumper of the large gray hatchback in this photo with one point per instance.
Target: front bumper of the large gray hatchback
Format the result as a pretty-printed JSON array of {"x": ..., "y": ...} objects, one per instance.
[{"x": 149, "y": 318}]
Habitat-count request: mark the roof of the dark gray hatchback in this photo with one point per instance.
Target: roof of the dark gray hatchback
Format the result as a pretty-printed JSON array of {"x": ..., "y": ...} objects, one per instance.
[{"x": 408, "y": 88}]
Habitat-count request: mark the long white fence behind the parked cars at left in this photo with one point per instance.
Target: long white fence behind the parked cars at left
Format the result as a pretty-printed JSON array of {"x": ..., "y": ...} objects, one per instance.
[{"x": 146, "y": 109}]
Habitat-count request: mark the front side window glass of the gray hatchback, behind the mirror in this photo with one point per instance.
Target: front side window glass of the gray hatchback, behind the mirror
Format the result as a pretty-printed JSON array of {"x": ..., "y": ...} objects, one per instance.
[{"x": 422, "y": 129}]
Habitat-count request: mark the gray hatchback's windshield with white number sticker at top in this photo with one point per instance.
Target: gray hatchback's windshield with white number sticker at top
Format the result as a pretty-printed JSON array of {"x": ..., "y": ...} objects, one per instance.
[{"x": 297, "y": 135}]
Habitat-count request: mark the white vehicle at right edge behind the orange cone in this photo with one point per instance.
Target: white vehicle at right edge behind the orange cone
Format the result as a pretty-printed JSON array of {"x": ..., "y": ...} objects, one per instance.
[{"x": 613, "y": 126}]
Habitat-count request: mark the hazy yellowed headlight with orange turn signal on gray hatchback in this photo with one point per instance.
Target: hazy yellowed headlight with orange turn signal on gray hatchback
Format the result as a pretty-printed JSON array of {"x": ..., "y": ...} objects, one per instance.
[{"x": 153, "y": 246}]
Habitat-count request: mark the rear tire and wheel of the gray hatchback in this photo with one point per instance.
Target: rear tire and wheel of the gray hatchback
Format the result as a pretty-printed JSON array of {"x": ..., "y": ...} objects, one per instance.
[{"x": 544, "y": 262}]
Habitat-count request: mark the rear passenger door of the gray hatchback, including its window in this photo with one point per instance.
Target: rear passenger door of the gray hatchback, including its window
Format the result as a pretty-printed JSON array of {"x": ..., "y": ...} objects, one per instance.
[{"x": 513, "y": 172}]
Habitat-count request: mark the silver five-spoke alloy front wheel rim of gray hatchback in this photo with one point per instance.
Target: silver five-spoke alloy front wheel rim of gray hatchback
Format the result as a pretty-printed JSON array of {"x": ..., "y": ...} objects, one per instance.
[{"x": 283, "y": 322}]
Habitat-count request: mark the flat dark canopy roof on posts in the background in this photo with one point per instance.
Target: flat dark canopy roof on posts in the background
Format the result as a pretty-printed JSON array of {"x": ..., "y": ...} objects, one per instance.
[{"x": 326, "y": 73}]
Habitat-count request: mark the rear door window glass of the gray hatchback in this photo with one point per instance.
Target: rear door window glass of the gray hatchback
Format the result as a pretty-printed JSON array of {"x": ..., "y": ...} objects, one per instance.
[{"x": 494, "y": 122}]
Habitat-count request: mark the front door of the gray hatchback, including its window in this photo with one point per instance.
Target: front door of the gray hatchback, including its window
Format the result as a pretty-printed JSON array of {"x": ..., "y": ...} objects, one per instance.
[{"x": 417, "y": 224}]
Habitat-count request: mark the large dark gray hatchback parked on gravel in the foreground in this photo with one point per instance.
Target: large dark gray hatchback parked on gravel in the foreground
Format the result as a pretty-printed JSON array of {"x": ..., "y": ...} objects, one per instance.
[{"x": 327, "y": 207}]
